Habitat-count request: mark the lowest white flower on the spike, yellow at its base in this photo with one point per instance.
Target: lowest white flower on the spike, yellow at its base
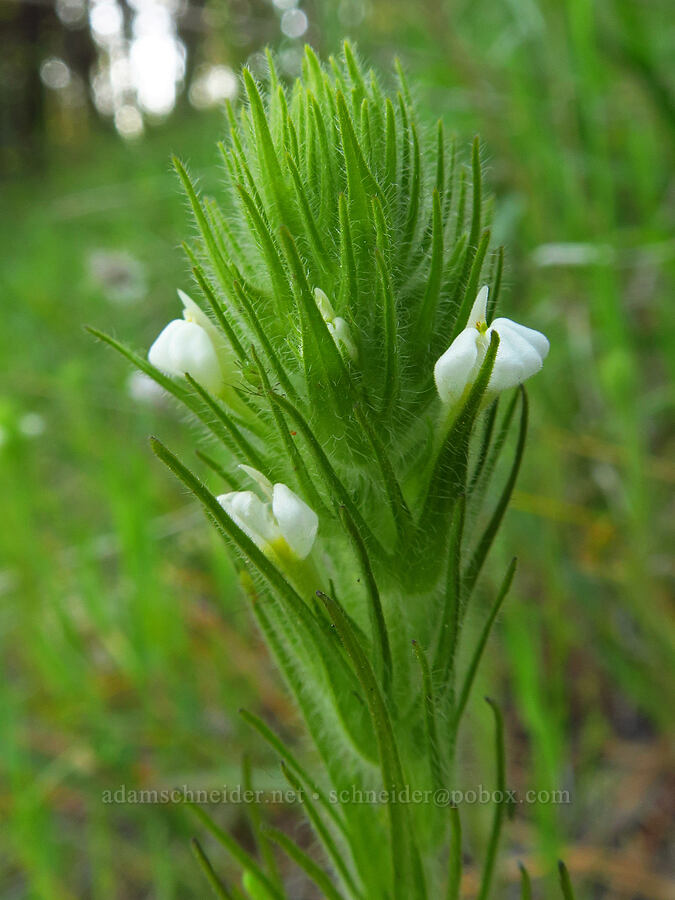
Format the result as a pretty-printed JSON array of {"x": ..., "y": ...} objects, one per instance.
[{"x": 280, "y": 522}]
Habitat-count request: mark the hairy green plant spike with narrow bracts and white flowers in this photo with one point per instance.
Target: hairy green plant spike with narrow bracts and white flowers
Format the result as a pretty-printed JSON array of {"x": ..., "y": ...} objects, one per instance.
[{"x": 342, "y": 354}]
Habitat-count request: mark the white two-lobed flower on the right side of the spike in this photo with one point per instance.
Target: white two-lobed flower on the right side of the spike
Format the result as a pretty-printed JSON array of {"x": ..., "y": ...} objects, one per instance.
[{"x": 521, "y": 354}]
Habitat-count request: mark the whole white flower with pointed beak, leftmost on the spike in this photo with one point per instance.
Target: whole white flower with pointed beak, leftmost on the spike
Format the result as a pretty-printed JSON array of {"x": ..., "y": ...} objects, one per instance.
[{"x": 193, "y": 345}]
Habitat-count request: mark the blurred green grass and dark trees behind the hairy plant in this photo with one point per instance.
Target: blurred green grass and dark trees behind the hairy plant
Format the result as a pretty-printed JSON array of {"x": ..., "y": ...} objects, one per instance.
[{"x": 126, "y": 648}]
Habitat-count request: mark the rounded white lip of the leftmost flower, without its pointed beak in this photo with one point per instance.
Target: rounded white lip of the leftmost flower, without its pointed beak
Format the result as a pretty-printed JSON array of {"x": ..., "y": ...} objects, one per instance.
[{"x": 186, "y": 347}]
